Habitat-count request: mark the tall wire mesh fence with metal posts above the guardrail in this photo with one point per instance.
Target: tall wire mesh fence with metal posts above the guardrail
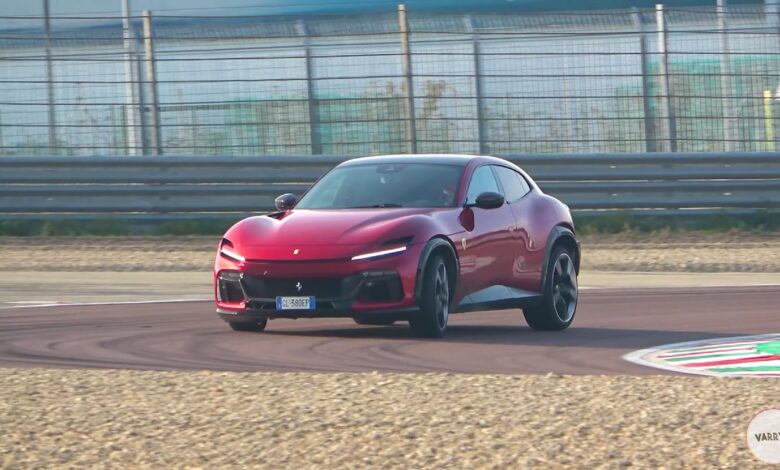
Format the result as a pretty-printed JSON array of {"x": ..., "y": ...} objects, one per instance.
[{"x": 613, "y": 81}]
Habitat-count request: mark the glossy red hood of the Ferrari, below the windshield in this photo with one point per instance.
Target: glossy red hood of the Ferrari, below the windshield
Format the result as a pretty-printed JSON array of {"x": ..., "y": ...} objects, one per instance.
[{"x": 302, "y": 234}]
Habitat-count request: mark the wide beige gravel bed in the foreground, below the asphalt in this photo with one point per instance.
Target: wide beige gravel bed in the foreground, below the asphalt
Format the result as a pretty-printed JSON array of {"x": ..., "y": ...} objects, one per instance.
[{"x": 132, "y": 419}]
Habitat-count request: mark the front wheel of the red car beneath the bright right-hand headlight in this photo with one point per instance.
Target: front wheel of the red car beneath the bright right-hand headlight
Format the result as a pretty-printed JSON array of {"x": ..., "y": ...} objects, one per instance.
[{"x": 431, "y": 320}]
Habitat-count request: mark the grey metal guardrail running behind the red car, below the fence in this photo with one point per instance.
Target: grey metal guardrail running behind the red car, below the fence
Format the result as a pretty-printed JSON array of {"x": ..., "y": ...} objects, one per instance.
[{"x": 177, "y": 187}]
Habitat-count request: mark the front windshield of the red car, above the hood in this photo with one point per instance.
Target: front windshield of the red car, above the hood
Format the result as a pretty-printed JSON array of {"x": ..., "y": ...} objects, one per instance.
[{"x": 385, "y": 185}]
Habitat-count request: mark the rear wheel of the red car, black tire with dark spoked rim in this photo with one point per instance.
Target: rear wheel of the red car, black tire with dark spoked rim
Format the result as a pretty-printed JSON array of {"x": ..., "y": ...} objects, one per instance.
[{"x": 556, "y": 310}]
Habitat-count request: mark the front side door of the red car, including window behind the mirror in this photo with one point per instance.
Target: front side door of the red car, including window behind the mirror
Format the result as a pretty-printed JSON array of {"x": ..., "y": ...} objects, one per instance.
[{"x": 488, "y": 237}]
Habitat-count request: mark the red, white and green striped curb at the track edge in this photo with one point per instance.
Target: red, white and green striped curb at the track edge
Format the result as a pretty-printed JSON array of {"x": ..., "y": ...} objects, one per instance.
[{"x": 741, "y": 356}]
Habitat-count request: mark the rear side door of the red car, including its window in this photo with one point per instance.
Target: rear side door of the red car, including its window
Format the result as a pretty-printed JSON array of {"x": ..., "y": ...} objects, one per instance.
[{"x": 524, "y": 270}]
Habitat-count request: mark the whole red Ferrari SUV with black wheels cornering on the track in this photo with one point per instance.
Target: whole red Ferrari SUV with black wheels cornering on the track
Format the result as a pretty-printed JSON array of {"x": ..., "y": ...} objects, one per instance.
[{"x": 404, "y": 237}]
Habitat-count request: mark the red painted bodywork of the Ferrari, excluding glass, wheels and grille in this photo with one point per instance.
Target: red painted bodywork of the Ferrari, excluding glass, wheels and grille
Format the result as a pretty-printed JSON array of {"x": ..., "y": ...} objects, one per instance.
[{"x": 504, "y": 246}]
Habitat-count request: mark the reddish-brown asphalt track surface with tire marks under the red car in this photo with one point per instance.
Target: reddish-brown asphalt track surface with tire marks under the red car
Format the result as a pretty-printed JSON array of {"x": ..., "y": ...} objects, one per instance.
[{"x": 189, "y": 336}]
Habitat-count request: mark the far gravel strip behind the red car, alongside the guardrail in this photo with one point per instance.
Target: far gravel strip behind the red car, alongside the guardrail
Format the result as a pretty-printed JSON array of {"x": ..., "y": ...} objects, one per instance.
[{"x": 660, "y": 252}]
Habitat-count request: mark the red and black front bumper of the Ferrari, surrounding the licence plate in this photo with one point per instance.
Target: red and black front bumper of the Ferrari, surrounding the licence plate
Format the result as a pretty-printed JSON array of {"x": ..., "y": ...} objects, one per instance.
[{"x": 384, "y": 286}]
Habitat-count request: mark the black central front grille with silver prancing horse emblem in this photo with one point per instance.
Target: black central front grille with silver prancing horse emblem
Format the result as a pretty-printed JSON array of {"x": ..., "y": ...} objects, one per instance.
[{"x": 328, "y": 288}]
